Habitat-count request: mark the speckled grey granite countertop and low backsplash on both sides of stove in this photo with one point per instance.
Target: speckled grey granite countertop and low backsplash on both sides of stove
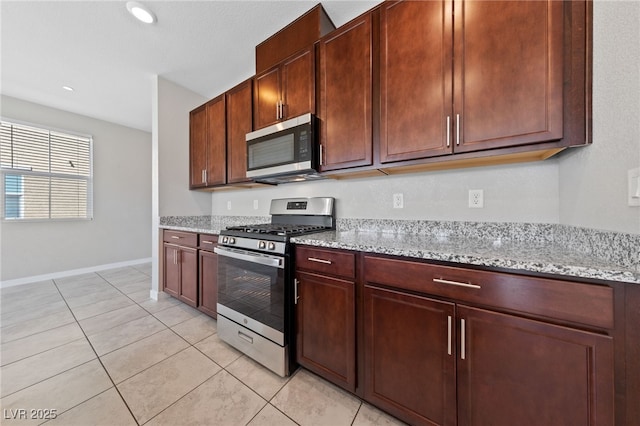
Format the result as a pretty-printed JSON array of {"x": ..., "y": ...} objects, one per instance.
[{"x": 559, "y": 250}]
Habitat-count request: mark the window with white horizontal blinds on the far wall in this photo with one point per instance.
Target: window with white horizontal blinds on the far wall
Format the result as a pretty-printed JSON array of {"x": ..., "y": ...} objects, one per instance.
[{"x": 46, "y": 174}]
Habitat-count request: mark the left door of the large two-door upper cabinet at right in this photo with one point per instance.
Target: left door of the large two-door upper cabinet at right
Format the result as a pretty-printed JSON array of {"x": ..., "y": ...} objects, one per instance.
[{"x": 416, "y": 51}]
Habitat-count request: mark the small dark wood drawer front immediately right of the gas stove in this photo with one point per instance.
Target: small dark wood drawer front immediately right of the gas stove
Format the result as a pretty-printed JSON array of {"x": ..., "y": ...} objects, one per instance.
[{"x": 325, "y": 261}]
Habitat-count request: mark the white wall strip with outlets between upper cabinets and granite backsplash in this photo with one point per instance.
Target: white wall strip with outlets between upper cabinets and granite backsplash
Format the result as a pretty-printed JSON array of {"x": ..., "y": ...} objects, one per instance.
[{"x": 513, "y": 193}]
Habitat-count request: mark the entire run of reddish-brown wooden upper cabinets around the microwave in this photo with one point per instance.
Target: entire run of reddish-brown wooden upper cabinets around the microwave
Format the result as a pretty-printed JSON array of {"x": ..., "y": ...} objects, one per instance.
[{"x": 414, "y": 85}]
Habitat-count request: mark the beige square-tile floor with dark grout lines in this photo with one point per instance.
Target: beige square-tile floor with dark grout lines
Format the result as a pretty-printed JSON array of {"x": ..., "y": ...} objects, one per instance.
[{"x": 95, "y": 350}]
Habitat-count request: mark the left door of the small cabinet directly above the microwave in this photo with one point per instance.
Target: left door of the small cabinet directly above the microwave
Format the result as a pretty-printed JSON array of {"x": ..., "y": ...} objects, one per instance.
[{"x": 267, "y": 95}]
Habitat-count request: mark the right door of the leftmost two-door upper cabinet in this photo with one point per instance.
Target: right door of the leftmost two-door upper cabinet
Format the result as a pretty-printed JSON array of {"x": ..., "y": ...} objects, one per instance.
[{"x": 217, "y": 141}]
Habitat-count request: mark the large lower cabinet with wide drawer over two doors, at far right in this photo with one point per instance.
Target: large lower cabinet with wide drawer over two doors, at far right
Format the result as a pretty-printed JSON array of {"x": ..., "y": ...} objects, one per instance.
[{"x": 443, "y": 362}]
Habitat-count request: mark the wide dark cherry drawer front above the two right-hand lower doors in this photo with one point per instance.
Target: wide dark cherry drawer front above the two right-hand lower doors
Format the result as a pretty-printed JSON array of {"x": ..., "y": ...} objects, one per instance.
[{"x": 562, "y": 300}]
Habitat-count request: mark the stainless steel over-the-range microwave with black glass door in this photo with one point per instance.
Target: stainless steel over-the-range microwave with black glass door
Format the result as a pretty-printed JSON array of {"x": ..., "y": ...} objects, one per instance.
[{"x": 284, "y": 152}]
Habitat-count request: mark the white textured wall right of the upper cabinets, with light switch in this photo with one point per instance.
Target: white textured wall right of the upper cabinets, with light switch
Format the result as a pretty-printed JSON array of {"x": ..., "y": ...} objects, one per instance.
[{"x": 593, "y": 181}]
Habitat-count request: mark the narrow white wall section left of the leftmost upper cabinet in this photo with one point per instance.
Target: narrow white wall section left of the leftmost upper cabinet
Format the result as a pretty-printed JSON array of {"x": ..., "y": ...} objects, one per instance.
[{"x": 175, "y": 199}]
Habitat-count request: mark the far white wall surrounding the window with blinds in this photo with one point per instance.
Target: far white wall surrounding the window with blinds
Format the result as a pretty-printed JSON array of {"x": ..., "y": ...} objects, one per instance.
[{"x": 120, "y": 230}]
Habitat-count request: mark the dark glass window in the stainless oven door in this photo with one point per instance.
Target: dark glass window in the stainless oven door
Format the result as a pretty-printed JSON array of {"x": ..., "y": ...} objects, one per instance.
[{"x": 254, "y": 290}]
